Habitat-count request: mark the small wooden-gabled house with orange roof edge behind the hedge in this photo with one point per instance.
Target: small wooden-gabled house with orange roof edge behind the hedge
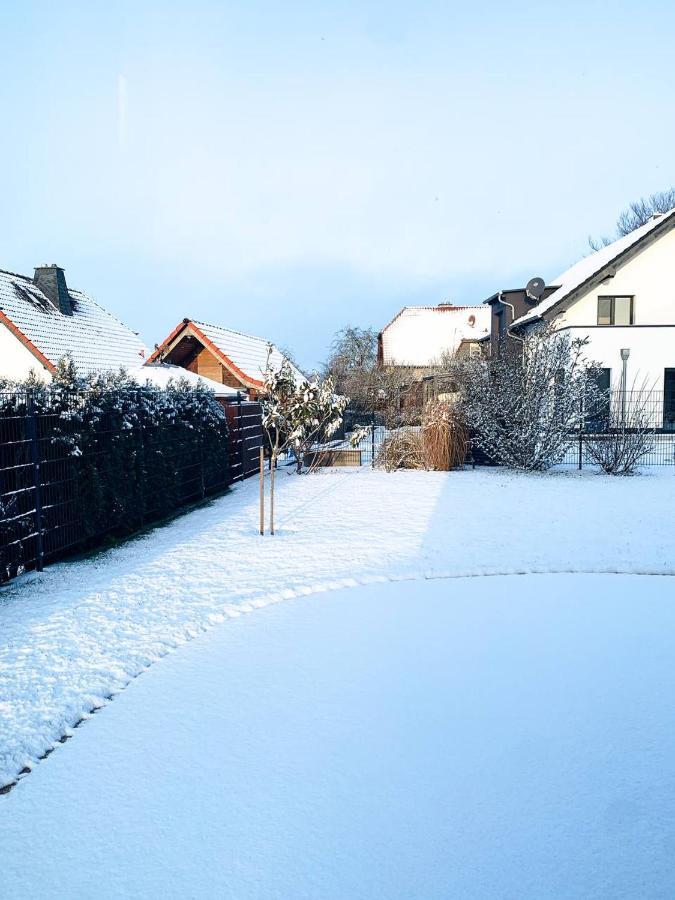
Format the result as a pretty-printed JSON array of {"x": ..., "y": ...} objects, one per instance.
[{"x": 222, "y": 355}]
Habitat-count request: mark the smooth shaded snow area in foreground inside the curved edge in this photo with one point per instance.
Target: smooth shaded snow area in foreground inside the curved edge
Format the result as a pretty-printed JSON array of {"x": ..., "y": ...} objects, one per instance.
[{"x": 509, "y": 737}]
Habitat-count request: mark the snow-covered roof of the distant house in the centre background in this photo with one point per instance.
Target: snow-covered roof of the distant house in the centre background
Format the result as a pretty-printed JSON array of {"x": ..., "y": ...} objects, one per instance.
[{"x": 419, "y": 335}]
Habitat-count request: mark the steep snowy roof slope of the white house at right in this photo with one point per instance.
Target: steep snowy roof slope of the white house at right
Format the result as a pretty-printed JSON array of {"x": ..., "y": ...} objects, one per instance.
[{"x": 591, "y": 265}]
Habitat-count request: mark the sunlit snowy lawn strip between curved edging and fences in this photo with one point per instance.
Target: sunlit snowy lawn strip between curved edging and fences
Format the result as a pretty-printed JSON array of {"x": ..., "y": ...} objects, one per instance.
[{"x": 81, "y": 631}]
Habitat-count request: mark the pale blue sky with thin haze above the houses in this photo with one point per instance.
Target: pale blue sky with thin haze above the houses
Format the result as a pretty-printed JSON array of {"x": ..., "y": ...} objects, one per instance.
[{"x": 287, "y": 169}]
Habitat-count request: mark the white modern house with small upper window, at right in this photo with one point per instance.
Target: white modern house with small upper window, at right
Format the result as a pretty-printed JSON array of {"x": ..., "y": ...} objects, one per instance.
[{"x": 622, "y": 298}]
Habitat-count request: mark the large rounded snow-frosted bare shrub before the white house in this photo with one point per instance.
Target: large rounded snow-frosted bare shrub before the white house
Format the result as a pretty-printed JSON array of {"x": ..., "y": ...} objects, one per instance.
[{"x": 523, "y": 403}]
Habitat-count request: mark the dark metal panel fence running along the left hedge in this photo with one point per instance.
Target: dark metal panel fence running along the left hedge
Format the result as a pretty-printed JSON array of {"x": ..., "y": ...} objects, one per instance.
[{"x": 141, "y": 474}]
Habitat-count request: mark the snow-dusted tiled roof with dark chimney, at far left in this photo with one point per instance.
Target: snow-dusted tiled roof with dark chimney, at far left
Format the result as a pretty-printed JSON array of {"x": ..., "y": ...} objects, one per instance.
[{"x": 95, "y": 339}]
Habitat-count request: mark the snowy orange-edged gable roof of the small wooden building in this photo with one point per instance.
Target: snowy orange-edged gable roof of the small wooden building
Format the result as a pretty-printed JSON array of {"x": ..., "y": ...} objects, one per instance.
[{"x": 242, "y": 354}]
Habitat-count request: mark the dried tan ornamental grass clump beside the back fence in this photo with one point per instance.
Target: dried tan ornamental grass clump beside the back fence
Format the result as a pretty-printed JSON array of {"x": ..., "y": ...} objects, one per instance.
[{"x": 439, "y": 444}]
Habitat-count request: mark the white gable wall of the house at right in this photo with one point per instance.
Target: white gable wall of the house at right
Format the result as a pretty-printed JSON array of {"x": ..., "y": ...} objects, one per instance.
[{"x": 650, "y": 279}]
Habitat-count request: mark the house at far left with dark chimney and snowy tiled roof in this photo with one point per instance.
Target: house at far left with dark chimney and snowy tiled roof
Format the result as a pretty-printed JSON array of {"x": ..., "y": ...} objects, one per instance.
[{"x": 42, "y": 320}]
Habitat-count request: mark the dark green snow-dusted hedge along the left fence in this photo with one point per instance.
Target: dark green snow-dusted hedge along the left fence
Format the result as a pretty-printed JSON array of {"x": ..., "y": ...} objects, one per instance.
[{"x": 113, "y": 455}]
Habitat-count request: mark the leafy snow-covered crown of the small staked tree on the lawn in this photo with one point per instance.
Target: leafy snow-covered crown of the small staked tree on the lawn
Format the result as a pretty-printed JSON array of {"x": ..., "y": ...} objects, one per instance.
[{"x": 299, "y": 415}]
